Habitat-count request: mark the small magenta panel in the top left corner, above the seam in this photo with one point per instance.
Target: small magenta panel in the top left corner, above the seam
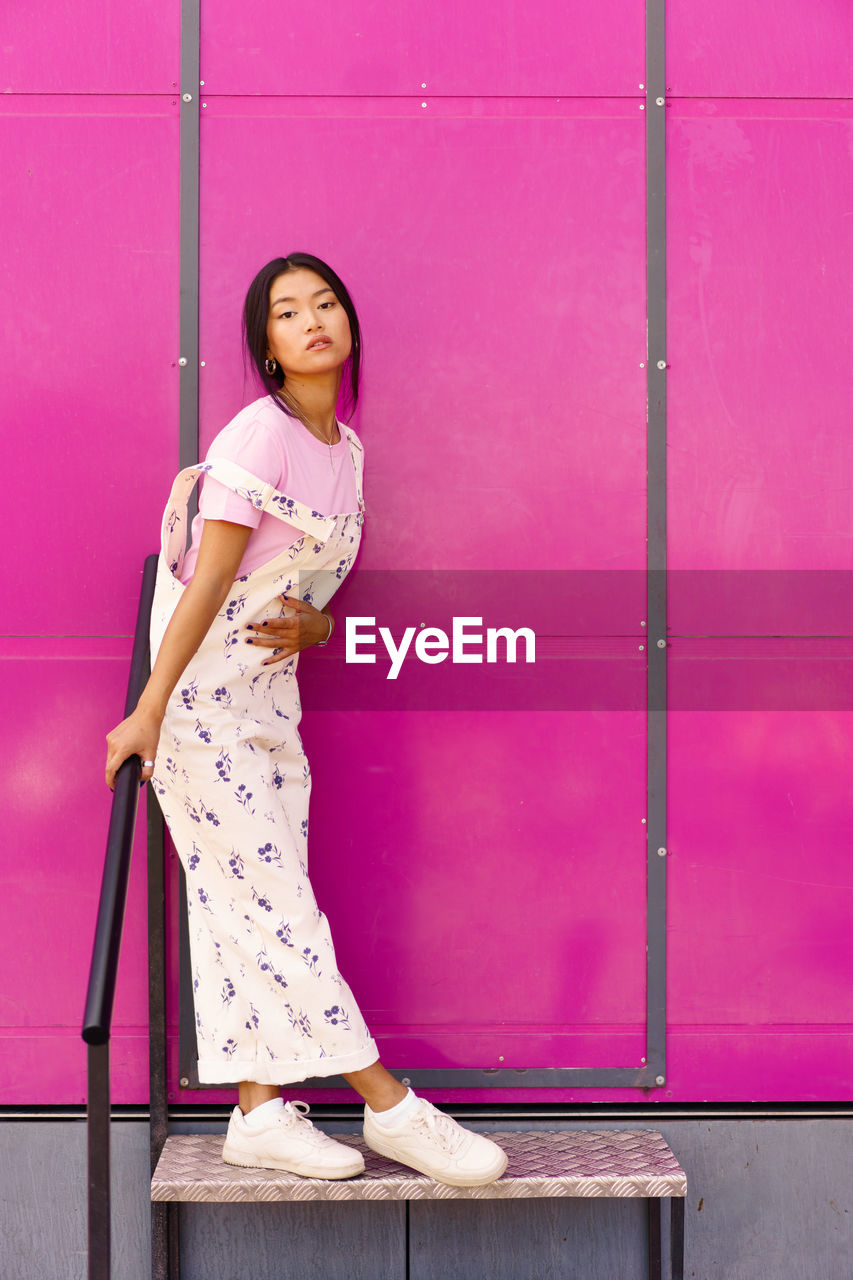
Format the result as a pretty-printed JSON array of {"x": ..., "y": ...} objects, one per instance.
[{"x": 94, "y": 48}]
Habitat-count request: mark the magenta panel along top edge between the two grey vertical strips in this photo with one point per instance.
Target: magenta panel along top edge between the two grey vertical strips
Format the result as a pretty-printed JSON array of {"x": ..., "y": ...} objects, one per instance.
[{"x": 501, "y": 49}]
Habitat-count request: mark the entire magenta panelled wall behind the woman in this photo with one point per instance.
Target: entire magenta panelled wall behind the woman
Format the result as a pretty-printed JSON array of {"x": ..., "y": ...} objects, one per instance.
[{"x": 492, "y": 228}]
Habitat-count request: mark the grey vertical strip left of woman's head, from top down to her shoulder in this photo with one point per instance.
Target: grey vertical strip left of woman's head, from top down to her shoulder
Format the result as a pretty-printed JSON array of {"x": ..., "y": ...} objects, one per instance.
[{"x": 189, "y": 355}]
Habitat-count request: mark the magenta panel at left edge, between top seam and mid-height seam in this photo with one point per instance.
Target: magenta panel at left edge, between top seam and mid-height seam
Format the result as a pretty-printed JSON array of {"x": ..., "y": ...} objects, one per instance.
[{"x": 92, "y": 264}]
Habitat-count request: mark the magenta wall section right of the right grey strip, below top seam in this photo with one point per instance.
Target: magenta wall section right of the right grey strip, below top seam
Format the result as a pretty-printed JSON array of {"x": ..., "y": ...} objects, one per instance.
[{"x": 760, "y": 516}]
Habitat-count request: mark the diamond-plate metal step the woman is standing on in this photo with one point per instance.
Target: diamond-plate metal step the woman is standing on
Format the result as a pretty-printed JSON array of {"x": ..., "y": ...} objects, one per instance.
[{"x": 587, "y": 1164}]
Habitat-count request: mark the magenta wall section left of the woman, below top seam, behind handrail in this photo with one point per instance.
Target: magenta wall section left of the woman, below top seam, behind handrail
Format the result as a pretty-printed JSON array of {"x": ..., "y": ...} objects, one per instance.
[{"x": 90, "y": 446}]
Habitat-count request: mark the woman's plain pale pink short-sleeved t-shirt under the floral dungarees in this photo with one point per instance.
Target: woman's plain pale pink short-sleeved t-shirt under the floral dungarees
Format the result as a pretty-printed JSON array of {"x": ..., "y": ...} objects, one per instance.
[{"x": 282, "y": 452}]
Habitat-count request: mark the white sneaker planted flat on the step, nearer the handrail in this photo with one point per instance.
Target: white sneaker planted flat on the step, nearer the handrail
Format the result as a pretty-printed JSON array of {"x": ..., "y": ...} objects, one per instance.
[{"x": 290, "y": 1142}]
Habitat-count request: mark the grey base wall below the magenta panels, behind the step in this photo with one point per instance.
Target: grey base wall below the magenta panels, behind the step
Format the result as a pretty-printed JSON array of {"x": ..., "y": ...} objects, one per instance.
[{"x": 767, "y": 1199}]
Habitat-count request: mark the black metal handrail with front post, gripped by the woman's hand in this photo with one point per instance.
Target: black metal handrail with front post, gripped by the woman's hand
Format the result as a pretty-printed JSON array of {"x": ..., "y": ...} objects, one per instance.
[{"x": 98, "y": 1017}]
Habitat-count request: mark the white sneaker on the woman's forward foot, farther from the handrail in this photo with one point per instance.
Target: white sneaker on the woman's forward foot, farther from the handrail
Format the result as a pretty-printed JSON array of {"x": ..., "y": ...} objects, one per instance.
[{"x": 434, "y": 1144}]
